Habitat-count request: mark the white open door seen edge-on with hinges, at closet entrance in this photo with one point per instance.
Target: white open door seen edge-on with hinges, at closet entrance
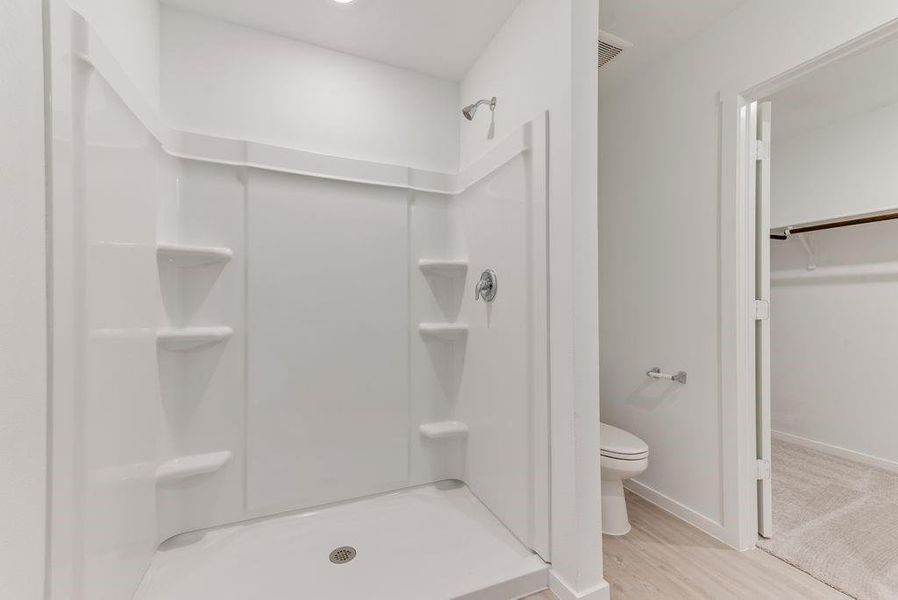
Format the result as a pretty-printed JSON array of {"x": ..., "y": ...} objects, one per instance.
[{"x": 759, "y": 123}]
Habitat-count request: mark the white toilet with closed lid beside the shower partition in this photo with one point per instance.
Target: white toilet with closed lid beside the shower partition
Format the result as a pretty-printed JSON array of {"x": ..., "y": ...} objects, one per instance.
[{"x": 623, "y": 456}]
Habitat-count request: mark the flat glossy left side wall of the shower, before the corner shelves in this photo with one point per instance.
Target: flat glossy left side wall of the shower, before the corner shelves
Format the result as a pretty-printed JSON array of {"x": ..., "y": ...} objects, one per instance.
[{"x": 107, "y": 390}]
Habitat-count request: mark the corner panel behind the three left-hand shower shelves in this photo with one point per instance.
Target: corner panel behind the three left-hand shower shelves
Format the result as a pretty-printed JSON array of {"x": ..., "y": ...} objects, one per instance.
[{"x": 202, "y": 391}]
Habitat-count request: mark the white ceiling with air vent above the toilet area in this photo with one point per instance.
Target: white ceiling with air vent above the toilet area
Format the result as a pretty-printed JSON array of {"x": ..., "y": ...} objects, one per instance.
[{"x": 655, "y": 28}]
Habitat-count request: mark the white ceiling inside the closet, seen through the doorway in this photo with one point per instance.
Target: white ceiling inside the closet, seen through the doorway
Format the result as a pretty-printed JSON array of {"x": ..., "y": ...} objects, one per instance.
[{"x": 856, "y": 84}]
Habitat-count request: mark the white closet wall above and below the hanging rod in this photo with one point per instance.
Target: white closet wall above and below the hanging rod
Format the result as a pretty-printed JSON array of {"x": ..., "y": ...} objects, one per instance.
[{"x": 834, "y": 338}]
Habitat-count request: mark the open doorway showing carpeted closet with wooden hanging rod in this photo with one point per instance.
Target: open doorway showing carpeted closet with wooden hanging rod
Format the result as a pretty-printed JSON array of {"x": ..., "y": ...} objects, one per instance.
[{"x": 819, "y": 251}]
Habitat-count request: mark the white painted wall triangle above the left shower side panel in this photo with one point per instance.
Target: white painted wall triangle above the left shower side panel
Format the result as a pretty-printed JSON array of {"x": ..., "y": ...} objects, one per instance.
[{"x": 130, "y": 28}]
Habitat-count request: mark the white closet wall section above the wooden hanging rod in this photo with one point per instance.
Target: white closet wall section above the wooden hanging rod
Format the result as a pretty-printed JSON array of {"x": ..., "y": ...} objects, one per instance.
[{"x": 845, "y": 168}]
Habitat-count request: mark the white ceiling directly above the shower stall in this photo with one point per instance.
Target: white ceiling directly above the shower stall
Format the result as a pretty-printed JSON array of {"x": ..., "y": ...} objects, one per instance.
[{"x": 442, "y": 38}]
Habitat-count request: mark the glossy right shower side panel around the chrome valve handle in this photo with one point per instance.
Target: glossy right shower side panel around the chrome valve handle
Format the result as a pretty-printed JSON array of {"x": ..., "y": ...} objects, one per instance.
[{"x": 503, "y": 395}]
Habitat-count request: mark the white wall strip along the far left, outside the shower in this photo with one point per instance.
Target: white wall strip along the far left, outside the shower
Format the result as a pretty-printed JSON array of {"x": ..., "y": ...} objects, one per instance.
[{"x": 23, "y": 323}]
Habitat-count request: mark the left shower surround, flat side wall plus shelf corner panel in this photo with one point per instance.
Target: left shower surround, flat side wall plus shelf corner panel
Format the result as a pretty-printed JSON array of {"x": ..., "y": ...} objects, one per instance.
[{"x": 126, "y": 407}]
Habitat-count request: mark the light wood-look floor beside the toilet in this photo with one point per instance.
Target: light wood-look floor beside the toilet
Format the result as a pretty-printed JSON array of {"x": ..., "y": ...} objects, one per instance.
[{"x": 663, "y": 557}]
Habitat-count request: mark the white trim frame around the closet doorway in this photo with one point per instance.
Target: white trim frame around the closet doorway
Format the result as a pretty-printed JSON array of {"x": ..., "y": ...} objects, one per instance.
[{"x": 737, "y": 274}]
